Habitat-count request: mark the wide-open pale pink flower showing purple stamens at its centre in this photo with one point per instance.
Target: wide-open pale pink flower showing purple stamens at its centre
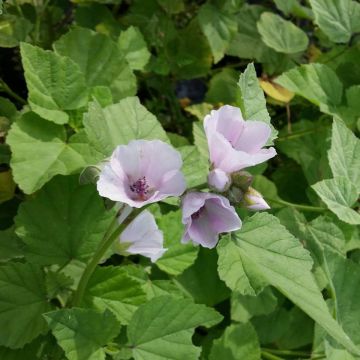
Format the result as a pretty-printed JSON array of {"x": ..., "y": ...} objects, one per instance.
[{"x": 142, "y": 172}]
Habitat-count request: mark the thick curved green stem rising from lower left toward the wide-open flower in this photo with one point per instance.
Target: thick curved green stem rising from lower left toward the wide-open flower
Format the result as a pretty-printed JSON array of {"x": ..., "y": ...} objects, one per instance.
[{"x": 91, "y": 266}]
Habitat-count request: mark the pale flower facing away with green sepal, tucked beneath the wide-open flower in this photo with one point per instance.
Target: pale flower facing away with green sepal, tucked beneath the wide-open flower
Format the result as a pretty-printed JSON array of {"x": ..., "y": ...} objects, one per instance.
[{"x": 143, "y": 237}]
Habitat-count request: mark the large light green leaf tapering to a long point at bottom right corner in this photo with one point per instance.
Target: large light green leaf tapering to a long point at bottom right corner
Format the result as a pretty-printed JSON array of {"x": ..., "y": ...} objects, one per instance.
[{"x": 279, "y": 258}]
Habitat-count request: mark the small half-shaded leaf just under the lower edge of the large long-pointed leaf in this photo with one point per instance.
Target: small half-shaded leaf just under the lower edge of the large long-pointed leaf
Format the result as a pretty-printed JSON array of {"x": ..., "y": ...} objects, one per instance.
[{"x": 244, "y": 307}]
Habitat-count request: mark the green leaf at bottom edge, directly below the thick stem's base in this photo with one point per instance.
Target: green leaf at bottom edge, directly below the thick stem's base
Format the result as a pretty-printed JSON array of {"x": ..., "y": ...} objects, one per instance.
[{"x": 83, "y": 332}]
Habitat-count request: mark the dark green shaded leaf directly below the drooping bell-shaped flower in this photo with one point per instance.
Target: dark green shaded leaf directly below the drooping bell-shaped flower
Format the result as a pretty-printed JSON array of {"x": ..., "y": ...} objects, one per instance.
[{"x": 204, "y": 286}]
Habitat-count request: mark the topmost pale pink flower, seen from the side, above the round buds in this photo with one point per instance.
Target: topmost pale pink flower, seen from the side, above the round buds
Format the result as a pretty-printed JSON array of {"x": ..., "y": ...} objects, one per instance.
[{"x": 234, "y": 143}]
